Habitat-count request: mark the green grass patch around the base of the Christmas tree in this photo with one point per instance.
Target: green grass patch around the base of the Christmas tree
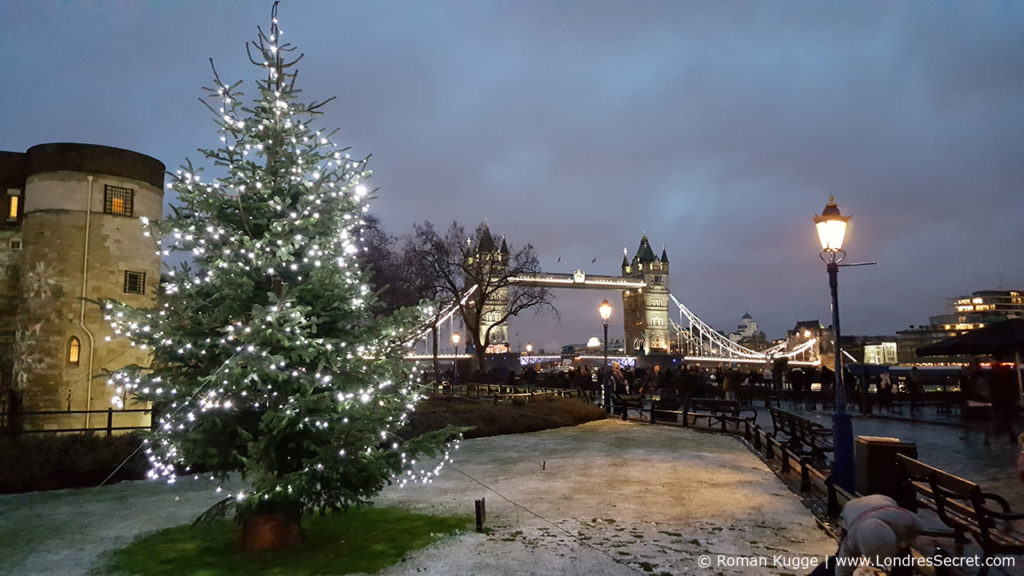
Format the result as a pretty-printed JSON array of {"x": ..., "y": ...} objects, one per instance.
[{"x": 365, "y": 540}]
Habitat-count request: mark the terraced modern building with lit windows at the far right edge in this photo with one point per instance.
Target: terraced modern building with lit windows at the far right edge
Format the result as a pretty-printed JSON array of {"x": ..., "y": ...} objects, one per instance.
[{"x": 968, "y": 313}]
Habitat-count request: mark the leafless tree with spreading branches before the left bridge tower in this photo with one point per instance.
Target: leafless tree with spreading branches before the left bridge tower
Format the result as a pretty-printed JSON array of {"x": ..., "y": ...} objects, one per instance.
[{"x": 446, "y": 266}]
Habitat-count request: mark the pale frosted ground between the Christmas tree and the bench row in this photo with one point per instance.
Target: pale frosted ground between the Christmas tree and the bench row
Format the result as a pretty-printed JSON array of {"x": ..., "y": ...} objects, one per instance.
[{"x": 617, "y": 499}]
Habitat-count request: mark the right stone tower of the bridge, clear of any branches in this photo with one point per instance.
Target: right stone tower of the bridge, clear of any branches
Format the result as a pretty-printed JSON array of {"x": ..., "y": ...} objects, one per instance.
[{"x": 646, "y": 311}]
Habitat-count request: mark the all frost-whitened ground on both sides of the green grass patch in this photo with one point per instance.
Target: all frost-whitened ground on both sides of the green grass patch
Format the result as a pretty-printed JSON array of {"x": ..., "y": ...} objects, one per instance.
[{"x": 604, "y": 499}]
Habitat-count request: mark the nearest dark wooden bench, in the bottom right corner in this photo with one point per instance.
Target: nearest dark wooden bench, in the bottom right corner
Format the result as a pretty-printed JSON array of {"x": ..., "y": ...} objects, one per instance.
[{"x": 965, "y": 510}]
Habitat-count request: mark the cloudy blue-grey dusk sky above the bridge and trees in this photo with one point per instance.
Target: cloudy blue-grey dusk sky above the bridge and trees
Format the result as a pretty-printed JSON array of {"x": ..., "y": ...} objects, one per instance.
[{"x": 717, "y": 129}]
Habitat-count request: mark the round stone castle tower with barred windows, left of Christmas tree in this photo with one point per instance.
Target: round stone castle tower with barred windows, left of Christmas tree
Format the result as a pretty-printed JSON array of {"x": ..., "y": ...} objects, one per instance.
[{"x": 73, "y": 214}]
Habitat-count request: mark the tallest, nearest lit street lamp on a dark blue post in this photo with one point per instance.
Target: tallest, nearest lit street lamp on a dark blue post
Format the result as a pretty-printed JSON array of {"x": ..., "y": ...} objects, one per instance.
[{"x": 832, "y": 229}]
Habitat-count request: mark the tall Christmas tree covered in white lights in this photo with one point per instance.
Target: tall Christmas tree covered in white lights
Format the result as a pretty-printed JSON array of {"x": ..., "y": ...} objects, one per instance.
[{"x": 268, "y": 358}]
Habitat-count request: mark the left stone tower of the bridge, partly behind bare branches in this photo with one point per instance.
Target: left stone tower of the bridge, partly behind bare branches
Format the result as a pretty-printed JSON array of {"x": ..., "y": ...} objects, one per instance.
[{"x": 494, "y": 265}]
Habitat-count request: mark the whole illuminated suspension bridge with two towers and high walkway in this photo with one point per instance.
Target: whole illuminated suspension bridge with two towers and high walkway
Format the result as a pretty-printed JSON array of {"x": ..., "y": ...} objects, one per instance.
[{"x": 650, "y": 326}]
